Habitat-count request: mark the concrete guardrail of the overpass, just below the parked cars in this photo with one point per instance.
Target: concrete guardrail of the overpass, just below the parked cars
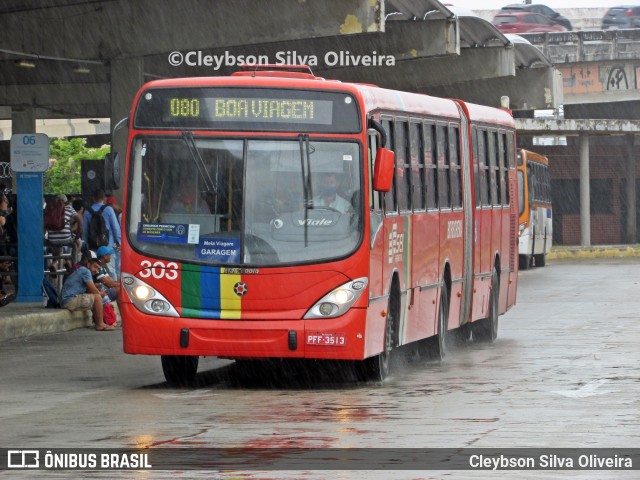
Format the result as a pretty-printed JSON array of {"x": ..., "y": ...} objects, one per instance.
[{"x": 587, "y": 45}]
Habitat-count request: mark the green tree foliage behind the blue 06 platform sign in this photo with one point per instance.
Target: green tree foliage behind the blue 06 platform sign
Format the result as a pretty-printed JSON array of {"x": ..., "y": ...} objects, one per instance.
[{"x": 63, "y": 175}]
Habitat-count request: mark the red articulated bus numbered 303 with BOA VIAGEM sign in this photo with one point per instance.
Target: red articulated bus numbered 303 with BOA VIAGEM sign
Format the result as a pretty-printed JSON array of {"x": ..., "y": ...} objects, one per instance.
[{"x": 265, "y": 217}]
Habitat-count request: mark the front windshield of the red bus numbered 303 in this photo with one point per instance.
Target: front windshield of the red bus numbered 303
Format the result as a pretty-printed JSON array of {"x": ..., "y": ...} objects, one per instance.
[{"x": 244, "y": 202}]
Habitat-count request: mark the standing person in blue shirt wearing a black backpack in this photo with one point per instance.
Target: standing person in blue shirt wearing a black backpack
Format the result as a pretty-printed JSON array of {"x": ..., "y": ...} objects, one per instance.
[{"x": 101, "y": 227}]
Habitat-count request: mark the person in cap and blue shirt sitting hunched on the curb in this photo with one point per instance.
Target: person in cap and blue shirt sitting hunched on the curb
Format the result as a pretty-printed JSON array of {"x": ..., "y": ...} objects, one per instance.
[{"x": 80, "y": 293}]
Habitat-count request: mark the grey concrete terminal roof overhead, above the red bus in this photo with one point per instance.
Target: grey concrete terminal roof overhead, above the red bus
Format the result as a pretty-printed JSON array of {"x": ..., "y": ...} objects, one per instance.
[{"x": 435, "y": 49}]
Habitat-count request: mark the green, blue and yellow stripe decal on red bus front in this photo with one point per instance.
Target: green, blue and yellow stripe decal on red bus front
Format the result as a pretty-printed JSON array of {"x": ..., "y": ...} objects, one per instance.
[{"x": 210, "y": 292}]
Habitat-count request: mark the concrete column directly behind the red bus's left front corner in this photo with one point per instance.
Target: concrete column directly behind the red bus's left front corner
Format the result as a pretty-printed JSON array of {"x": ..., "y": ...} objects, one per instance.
[{"x": 126, "y": 80}]
